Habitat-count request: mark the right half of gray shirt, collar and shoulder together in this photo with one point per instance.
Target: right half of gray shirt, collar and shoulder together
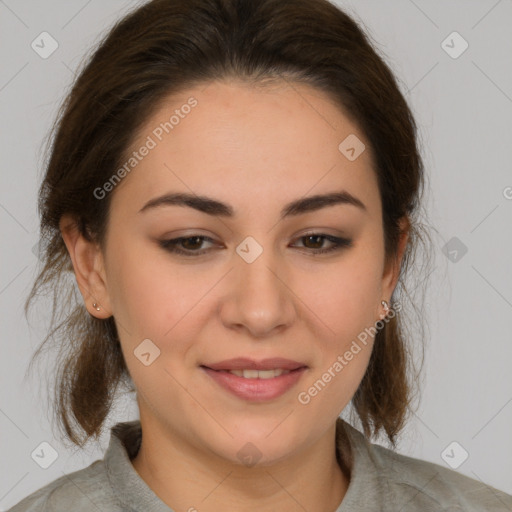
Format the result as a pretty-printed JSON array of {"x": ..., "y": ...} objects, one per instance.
[{"x": 391, "y": 481}]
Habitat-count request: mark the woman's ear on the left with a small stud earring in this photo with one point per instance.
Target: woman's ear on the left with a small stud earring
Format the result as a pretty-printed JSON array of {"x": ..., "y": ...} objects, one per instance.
[{"x": 88, "y": 265}]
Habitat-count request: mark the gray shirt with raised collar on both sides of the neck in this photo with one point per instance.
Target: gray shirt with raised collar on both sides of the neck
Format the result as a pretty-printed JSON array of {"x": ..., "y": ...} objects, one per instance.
[{"x": 380, "y": 480}]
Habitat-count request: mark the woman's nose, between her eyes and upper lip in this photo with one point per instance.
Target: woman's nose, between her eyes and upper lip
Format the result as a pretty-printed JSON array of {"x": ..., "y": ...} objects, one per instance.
[{"x": 258, "y": 298}]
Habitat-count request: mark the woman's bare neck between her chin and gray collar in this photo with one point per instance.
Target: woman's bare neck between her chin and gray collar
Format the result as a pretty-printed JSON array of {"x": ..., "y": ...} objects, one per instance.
[{"x": 185, "y": 478}]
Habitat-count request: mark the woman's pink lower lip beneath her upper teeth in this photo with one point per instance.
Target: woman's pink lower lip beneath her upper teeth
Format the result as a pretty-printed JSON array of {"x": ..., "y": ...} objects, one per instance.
[{"x": 255, "y": 390}]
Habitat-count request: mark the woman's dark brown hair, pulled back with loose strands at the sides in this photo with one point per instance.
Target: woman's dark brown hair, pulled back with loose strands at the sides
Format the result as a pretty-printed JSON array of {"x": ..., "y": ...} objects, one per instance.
[{"x": 164, "y": 47}]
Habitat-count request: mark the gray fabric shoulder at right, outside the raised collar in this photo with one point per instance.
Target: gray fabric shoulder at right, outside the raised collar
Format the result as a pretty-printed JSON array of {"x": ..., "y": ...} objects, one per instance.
[{"x": 426, "y": 484}]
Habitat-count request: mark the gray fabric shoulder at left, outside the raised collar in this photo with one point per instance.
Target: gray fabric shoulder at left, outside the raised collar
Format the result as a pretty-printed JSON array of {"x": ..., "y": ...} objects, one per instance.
[{"x": 85, "y": 489}]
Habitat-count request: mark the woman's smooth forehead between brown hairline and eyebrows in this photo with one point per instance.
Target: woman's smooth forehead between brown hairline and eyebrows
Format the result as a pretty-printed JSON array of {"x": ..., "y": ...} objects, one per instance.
[{"x": 246, "y": 144}]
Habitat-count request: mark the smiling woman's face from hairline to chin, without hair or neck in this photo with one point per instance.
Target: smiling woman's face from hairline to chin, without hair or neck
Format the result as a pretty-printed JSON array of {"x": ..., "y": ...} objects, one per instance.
[{"x": 248, "y": 279}]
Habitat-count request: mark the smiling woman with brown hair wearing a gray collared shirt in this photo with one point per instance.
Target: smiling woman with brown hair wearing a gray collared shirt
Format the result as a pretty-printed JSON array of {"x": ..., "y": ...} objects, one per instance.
[{"x": 235, "y": 185}]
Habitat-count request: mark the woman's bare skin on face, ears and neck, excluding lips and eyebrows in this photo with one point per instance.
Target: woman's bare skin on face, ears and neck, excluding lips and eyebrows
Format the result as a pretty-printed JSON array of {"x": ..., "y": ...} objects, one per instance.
[{"x": 255, "y": 149}]
